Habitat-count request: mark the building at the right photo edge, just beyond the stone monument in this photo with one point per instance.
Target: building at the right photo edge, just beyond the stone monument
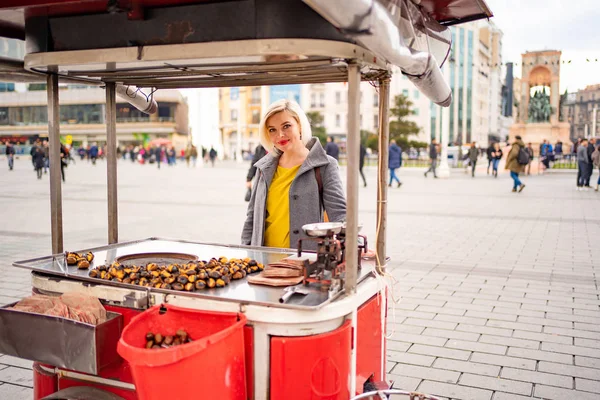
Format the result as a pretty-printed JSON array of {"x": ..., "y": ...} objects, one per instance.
[{"x": 582, "y": 111}]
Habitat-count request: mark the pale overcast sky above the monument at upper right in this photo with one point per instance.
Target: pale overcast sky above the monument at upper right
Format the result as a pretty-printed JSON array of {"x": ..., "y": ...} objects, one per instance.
[{"x": 571, "y": 26}]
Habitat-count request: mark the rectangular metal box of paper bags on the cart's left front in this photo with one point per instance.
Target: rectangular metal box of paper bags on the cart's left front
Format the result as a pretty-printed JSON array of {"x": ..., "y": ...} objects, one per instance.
[{"x": 60, "y": 342}]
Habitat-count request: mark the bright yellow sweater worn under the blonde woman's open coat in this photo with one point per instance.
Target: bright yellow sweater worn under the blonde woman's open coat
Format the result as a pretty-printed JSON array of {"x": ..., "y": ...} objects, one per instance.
[{"x": 277, "y": 224}]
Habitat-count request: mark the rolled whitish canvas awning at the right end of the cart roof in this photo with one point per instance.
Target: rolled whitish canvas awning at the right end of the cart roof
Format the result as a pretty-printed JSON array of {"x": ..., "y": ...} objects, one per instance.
[{"x": 405, "y": 33}]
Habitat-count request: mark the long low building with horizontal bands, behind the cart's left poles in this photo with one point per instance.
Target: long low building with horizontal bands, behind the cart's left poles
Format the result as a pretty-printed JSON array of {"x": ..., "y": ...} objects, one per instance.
[{"x": 24, "y": 116}]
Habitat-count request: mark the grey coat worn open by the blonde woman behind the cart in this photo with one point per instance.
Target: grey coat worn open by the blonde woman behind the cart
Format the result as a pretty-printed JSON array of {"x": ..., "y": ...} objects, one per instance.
[{"x": 304, "y": 195}]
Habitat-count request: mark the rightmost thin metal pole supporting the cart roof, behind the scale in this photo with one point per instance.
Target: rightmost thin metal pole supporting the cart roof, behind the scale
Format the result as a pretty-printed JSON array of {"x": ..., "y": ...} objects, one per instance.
[{"x": 382, "y": 167}]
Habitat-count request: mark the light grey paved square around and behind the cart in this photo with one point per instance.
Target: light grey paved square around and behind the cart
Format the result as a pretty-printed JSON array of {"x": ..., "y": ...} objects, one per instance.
[{"x": 498, "y": 292}]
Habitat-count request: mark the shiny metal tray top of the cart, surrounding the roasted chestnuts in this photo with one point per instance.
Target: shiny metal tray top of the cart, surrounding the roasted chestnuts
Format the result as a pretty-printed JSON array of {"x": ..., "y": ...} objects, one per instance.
[{"x": 238, "y": 291}]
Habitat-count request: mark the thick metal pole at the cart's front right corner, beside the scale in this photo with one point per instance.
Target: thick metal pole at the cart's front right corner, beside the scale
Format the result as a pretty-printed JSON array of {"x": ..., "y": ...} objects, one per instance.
[{"x": 353, "y": 153}]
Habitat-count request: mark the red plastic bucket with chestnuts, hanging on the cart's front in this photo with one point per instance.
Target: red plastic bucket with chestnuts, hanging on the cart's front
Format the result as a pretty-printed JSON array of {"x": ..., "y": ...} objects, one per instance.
[{"x": 210, "y": 367}]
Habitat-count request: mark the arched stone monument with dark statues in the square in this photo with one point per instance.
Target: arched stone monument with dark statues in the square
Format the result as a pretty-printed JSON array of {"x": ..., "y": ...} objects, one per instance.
[{"x": 539, "y": 102}]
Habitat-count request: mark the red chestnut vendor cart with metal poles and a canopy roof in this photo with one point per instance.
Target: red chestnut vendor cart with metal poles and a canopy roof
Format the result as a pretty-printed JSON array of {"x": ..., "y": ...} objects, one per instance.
[{"x": 319, "y": 340}]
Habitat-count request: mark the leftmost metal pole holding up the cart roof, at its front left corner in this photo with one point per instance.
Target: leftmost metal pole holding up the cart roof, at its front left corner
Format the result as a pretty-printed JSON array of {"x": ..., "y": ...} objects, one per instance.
[{"x": 55, "y": 182}]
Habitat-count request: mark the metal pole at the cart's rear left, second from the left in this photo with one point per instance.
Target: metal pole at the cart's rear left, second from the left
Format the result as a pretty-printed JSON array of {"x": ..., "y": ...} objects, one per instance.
[{"x": 111, "y": 163}]
